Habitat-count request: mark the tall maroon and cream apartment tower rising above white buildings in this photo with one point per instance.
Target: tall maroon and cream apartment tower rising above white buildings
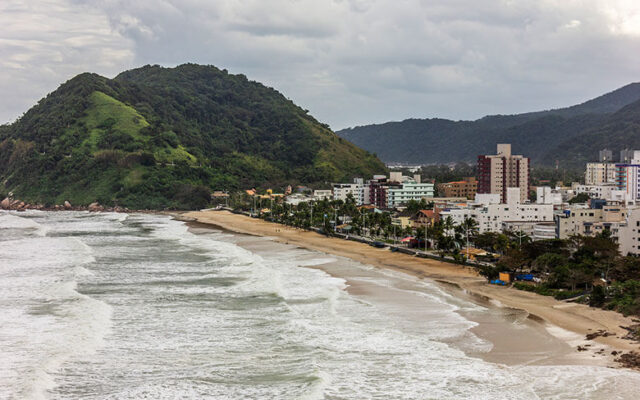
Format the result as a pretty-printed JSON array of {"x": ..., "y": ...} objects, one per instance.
[{"x": 497, "y": 173}]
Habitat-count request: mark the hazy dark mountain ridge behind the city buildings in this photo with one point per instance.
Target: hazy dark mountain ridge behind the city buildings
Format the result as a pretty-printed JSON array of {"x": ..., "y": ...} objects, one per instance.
[{"x": 544, "y": 135}]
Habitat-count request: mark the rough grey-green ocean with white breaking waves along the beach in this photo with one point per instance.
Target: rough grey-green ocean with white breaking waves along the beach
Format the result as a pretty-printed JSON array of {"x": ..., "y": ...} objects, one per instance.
[{"x": 138, "y": 306}]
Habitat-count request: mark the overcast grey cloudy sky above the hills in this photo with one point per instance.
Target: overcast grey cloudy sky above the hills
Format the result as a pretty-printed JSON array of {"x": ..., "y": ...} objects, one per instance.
[{"x": 349, "y": 62}]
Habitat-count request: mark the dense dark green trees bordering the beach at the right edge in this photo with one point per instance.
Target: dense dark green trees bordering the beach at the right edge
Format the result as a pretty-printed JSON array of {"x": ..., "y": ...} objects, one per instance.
[{"x": 588, "y": 268}]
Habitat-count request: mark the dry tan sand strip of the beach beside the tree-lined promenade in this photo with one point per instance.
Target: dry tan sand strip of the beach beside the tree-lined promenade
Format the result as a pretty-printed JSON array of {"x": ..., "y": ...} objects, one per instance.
[{"x": 568, "y": 321}]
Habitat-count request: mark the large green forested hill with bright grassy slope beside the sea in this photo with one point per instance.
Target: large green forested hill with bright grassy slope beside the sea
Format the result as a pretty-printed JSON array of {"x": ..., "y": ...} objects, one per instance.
[{"x": 158, "y": 137}]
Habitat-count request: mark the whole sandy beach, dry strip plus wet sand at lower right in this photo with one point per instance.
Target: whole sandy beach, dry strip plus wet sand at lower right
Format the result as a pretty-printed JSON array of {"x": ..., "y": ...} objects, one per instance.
[{"x": 525, "y": 328}]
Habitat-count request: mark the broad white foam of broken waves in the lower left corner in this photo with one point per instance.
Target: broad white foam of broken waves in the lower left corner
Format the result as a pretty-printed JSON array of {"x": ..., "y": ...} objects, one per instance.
[{"x": 38, "y": 283}]
